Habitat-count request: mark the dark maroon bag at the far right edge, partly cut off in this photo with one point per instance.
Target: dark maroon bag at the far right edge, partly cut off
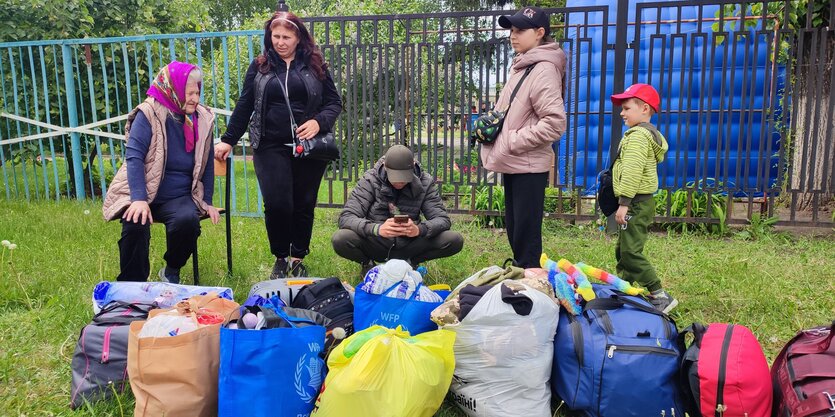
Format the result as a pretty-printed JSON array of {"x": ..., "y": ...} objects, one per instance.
[{"x": 804, "y": 375}]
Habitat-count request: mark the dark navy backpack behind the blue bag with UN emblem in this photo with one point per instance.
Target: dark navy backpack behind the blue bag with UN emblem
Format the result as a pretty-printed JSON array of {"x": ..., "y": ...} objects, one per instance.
[{"x": 330, "y": 298}]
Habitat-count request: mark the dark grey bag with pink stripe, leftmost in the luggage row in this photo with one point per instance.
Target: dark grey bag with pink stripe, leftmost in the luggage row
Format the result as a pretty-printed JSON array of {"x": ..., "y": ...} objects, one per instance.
[{"x": 101, "y": 353}]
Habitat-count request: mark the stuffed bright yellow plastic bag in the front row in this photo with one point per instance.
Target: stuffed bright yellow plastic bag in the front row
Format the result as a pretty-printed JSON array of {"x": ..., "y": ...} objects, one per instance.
[{"x": 381, "y": 372}]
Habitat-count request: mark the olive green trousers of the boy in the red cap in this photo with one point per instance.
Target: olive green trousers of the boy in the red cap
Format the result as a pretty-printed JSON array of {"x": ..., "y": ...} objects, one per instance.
[{"x": 632, "y": 265}]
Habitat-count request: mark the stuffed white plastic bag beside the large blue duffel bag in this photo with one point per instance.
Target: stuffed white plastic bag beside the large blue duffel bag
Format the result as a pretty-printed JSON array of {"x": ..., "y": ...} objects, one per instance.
[{"x": 503, "y": 359}]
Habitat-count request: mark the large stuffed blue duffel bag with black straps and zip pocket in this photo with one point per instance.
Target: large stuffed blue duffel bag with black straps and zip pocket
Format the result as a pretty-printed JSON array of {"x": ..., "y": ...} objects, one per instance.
[{"x": 618, "y": 358}]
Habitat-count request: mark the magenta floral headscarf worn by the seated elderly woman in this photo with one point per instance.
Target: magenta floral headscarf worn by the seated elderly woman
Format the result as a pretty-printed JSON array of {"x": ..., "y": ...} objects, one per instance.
[{"x": 169, "y": 88}]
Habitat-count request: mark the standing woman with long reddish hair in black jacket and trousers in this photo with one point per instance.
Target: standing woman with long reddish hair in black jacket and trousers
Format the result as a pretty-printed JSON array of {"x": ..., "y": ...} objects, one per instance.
[{"x": 291, "y": 65}]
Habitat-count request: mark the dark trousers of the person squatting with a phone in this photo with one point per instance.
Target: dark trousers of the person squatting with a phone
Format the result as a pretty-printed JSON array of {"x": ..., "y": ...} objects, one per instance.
[{"x": 349, "y": 245}]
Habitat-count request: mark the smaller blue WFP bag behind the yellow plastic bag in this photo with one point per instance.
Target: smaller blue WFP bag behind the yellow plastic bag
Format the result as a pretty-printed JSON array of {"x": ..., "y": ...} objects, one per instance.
[{"x": 378, "y": 309}]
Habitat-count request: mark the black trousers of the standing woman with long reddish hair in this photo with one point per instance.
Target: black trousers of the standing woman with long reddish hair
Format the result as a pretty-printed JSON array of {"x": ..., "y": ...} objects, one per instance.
[{"x": 289, "y": 187}]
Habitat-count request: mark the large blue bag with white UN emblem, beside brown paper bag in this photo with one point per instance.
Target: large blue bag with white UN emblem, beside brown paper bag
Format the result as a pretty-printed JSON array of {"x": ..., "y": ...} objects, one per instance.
[{"x": 273, "y": 372}]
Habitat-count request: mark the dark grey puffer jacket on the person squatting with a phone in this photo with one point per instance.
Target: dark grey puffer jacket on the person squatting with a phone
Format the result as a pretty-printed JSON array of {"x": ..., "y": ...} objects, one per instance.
[{"x": 368, "y": 205}]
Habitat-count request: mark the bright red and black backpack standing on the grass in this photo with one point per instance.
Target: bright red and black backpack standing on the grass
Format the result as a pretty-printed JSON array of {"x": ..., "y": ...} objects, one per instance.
[{"x": 724, "y": 372}]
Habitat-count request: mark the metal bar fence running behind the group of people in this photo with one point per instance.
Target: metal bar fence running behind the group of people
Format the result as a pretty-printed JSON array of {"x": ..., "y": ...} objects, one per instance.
[{"x": 418, "y": 79}]
